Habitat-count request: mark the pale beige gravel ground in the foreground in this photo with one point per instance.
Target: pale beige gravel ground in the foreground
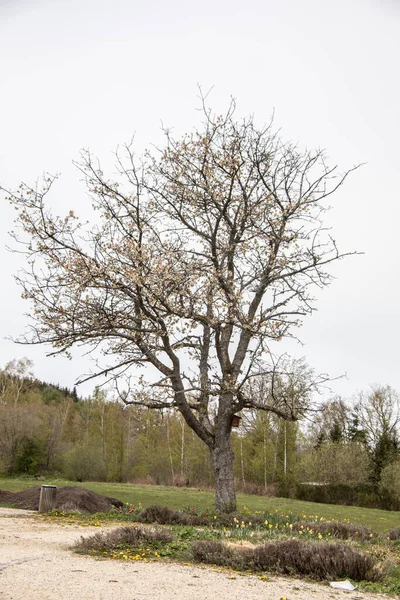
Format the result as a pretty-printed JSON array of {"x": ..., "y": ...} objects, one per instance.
[{"x": 37, "y": 564}]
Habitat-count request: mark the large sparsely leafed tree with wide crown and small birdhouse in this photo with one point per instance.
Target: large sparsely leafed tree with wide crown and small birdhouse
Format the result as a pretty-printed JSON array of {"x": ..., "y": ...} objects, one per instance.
[{"x": 207, "y": 253}]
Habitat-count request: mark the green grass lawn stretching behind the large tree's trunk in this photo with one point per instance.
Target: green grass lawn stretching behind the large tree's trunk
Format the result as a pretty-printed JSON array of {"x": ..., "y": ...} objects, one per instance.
[{"x": 176, "y": 498}]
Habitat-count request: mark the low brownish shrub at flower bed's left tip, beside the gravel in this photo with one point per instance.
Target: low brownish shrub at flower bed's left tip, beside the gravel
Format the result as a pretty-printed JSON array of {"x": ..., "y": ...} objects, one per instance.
[{"x": 130, "y": 536}]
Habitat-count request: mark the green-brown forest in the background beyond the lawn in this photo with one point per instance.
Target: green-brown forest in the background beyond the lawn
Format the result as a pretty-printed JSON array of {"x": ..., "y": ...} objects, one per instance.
[{"x": 347, "y": 453}]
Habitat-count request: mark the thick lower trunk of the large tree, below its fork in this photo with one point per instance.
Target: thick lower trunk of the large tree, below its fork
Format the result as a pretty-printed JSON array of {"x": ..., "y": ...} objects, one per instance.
[{"x": 222, "y": 461}]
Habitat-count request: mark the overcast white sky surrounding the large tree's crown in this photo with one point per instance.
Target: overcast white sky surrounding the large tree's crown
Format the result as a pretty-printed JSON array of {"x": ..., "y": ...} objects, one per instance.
[{"x": 90, "y": 73}]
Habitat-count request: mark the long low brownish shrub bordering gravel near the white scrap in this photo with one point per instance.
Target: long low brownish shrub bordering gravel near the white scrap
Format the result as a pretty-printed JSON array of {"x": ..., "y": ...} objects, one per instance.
[{"x": 320, "y": 561}]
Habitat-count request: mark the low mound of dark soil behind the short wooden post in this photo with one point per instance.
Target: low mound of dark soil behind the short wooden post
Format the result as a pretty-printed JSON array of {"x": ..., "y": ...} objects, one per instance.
[{"x": 68, "y": 499}]
